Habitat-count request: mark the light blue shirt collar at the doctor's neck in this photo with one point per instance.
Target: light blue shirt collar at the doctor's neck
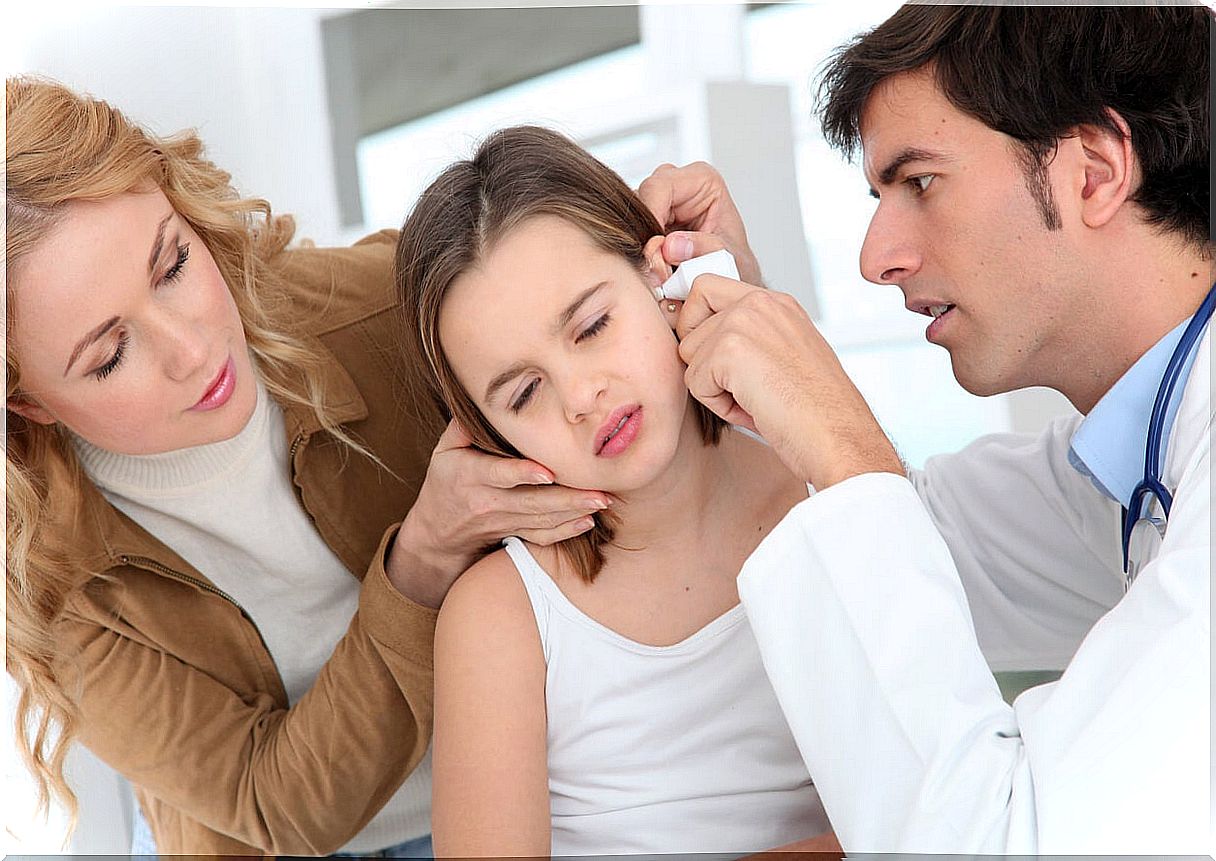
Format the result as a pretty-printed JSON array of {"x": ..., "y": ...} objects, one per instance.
[{"x": 1111, "y": 442}]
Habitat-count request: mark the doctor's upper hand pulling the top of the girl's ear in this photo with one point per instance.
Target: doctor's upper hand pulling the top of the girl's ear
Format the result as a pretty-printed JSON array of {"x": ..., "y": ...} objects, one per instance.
[{"x": 694, "y": 202}]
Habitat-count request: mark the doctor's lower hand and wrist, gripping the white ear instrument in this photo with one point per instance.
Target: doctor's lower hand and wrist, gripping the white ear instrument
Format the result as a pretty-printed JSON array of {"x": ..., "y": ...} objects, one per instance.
[{"x": 756, "y": 359}]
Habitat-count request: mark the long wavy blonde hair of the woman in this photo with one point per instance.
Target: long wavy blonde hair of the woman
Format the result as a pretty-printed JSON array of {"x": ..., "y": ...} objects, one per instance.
[{"x": 64, "y": 148}]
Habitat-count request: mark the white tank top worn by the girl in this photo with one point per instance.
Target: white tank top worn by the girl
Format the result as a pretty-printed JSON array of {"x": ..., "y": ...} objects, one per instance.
[{"x": 663, "y": 749}]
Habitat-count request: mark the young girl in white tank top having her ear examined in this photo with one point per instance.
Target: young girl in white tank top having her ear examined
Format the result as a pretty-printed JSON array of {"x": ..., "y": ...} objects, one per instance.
[{"x": 601, "y": 696}]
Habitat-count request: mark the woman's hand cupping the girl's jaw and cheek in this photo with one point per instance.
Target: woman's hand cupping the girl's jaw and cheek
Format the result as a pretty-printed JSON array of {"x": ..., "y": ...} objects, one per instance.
[{"x": 470, "y": 502}]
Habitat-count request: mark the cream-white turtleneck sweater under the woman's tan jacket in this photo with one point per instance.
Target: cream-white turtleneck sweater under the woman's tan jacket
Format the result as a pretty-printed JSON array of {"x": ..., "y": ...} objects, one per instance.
[{"x": 229, "y": 510}]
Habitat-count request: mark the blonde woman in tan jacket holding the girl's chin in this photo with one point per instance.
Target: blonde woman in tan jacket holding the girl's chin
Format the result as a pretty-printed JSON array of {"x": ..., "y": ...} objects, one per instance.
[{"x": 211, "y": 446}]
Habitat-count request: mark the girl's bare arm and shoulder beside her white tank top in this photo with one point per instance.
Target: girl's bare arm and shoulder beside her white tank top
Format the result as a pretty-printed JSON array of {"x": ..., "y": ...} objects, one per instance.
[{"x": 491, "y": 795}]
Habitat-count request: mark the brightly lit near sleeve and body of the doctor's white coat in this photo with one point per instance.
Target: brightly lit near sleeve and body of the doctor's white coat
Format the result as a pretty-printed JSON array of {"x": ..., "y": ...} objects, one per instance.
[{"x": 868, "y": 638}]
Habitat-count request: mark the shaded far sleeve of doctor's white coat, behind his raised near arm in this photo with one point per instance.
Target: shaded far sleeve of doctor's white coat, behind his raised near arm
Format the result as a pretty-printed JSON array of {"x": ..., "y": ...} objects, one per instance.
[{"x": 1038, "y": 548}]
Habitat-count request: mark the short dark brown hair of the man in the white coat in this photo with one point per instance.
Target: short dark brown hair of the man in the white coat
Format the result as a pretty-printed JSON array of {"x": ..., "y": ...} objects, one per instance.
[{"x": 1038, "y": 74}]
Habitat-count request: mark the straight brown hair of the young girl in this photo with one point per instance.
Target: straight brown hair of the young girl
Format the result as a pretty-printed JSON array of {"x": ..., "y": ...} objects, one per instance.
[{"x": 515, "y": 176}]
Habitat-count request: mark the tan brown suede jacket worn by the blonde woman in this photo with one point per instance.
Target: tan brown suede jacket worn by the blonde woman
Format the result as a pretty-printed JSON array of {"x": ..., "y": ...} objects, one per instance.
[{"x": 178, "y": 691}]
